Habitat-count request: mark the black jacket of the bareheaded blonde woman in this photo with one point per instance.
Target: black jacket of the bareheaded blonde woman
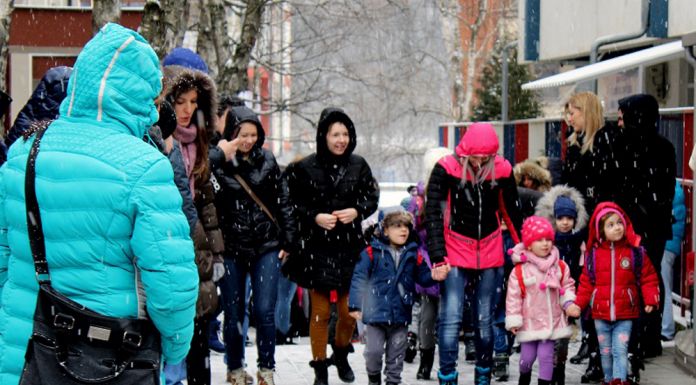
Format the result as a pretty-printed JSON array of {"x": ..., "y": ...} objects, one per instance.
[{"x": 597, "y": 174}]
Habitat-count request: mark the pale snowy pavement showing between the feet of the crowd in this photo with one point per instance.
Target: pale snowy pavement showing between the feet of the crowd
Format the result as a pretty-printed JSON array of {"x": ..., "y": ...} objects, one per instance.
[{"x": 292, "y": 368}]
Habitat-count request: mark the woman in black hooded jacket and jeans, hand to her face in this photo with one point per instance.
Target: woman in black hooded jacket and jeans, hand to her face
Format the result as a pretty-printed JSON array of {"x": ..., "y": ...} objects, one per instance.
[{"x": 255, "y": 239}]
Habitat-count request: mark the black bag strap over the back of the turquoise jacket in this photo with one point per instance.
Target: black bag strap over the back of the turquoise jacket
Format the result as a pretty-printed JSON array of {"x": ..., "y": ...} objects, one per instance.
[{"x": 36, "y": 236}]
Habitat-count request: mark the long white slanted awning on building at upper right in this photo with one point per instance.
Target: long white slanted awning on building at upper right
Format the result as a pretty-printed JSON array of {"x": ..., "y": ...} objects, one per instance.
[{"x": 648, "y": 56}]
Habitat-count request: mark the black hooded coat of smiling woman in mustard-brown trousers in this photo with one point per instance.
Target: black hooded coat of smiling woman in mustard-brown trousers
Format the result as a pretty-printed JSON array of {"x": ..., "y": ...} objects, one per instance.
[{"x": 323, "y": 183}]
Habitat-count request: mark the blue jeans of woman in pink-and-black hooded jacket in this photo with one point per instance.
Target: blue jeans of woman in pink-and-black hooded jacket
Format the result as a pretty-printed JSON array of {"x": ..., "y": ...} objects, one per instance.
[{"x": 486, "y": 294}]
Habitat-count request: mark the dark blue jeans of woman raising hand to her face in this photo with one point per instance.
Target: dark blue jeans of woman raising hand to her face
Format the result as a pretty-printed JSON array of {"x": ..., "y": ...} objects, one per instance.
[{"x": 264, "y": 273}]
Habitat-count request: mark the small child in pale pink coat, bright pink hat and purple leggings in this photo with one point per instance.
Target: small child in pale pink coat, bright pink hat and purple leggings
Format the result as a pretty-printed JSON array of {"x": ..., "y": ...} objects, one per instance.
[{"x": 539, "y": 289}]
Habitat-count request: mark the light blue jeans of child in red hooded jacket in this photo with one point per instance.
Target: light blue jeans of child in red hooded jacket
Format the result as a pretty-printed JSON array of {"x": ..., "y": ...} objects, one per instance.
[{"x": 613, "y": 340}]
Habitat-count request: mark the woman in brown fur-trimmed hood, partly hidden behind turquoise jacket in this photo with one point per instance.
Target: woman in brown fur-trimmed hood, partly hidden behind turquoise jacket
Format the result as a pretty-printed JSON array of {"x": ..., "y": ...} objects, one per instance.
[{"x": 193, "y": 96}]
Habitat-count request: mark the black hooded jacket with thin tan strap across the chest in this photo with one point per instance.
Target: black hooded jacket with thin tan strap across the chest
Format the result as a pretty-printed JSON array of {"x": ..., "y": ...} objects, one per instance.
[{"x": 248, "y": 231}]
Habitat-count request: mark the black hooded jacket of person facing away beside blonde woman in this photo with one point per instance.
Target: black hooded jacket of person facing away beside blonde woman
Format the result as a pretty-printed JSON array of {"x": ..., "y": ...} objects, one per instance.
[{"x": 650, "y": 169}]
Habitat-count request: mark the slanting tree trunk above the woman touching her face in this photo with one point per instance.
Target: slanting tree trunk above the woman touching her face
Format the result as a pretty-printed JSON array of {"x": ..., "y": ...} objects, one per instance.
[{"x": 232, "y": 75}]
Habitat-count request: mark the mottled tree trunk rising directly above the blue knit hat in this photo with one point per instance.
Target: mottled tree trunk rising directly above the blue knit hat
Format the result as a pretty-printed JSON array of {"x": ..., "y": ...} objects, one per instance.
[{"x": 164, "y": 24}]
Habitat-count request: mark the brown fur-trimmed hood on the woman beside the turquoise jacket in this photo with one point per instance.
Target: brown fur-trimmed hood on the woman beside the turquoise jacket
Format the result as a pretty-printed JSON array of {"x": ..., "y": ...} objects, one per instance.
[{"x": 187, "y": 79}]
